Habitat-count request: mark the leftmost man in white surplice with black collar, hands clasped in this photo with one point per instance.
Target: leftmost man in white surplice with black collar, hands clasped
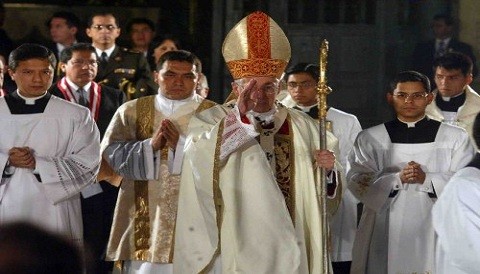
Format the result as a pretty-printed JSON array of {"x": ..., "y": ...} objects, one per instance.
[{"x": 49, "y": 149}]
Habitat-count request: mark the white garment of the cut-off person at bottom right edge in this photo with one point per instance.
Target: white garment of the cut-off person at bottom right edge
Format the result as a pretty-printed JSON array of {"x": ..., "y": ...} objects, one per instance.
[{"x": 456, "y": 220}]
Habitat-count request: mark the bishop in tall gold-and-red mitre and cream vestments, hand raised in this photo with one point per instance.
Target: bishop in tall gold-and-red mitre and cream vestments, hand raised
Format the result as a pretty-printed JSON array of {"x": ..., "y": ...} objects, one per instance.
[{"x": 248, "y": 201}]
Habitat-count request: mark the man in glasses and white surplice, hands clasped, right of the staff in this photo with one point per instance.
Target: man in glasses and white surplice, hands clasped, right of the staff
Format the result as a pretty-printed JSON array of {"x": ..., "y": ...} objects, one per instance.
[{"x": 397, "y": 170}]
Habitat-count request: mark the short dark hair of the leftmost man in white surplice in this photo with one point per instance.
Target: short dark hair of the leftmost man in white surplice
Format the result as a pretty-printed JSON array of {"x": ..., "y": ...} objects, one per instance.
[{"x": 29, "y": 51}]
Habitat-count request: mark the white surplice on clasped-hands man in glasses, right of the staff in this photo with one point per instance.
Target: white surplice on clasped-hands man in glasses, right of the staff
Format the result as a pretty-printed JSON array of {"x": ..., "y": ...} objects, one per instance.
[{"x": 395, "y": 235}]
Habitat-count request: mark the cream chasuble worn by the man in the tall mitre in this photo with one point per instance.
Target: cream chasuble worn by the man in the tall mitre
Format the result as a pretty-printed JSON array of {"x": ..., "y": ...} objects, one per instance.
[{"x": 234, "y": 209}]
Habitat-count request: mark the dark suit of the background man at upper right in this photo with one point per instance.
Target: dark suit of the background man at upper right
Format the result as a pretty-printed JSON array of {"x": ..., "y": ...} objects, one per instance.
[{"x": 424, "y": 55}]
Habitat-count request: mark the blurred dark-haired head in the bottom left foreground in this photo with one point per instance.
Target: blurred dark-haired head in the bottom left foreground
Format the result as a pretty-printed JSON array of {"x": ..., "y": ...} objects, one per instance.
[{"x": 26, "y": 248}]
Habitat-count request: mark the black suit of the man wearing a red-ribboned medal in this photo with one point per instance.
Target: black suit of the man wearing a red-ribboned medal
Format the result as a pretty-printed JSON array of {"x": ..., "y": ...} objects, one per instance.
[{"x": 97, "y": 210}]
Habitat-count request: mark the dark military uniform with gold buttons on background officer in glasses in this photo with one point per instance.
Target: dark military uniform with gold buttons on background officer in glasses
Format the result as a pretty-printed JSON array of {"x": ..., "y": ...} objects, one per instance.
[{"x": 128, "y": 71}]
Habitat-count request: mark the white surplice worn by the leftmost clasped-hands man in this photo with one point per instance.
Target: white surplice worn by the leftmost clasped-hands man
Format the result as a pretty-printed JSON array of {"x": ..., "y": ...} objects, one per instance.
[{"x": 65, "y": 141}]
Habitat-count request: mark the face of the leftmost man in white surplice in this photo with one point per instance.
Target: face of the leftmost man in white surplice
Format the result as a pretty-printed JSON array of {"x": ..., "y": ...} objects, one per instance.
[{"x": 33, "y": 77}]
